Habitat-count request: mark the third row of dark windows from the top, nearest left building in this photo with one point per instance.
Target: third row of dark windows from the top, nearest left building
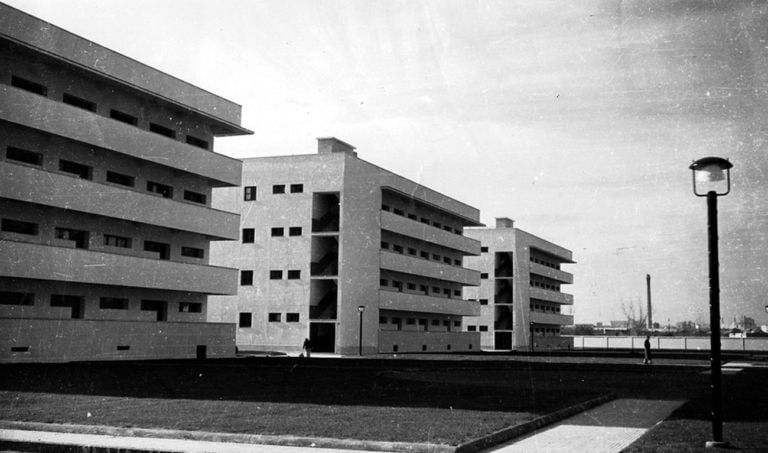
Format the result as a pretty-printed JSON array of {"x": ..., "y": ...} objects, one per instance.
[{"x": 81, "y": 239}]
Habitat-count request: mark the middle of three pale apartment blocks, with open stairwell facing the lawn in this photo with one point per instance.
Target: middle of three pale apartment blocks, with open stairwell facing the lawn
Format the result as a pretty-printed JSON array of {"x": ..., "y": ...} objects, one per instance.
[{"x": 332, "y": 245}]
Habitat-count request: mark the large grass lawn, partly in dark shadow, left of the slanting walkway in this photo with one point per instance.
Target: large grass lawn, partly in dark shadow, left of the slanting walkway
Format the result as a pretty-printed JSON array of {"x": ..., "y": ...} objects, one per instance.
[{"x": 379, "y": 400}]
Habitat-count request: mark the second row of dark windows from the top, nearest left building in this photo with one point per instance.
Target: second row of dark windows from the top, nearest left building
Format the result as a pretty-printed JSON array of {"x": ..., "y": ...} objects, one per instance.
[{"x": 83, "y": 171}]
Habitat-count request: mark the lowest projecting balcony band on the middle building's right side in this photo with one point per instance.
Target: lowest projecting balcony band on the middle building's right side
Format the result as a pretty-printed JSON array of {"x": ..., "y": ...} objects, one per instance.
[{"x": 401, "y": 301}]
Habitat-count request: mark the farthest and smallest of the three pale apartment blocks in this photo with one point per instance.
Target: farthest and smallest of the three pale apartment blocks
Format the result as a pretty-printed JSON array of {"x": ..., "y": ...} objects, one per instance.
[{"x": 519, "y": 292}]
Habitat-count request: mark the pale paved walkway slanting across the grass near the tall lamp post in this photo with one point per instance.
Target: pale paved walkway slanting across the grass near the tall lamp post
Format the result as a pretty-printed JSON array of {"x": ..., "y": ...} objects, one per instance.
[{"x": 605, "y": 429}]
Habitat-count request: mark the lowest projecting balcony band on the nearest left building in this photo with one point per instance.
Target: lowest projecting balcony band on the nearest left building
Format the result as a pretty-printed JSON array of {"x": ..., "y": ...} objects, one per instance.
[{"x": 44, "y": 262}]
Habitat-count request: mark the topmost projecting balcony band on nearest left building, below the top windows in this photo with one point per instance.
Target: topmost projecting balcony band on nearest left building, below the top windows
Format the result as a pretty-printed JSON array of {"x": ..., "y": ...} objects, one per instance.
[{"x": 24, "y": 108}]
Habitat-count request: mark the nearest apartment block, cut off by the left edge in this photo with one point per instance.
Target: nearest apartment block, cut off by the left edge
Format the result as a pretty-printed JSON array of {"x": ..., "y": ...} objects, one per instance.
[{"x": 106, "y": 173}]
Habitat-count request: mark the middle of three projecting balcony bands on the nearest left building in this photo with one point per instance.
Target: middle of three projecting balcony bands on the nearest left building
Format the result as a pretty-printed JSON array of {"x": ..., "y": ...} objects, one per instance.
[{"x": 20, "y": 182}]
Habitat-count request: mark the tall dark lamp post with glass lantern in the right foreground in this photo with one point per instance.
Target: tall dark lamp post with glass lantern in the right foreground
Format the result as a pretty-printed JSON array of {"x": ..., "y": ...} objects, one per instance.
[{"x": 712, "y": 179}]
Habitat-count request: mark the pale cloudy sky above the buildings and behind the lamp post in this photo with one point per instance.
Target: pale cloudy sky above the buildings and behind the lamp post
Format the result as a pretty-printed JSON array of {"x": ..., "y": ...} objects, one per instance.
[{"x": 576, "y": 119}]
